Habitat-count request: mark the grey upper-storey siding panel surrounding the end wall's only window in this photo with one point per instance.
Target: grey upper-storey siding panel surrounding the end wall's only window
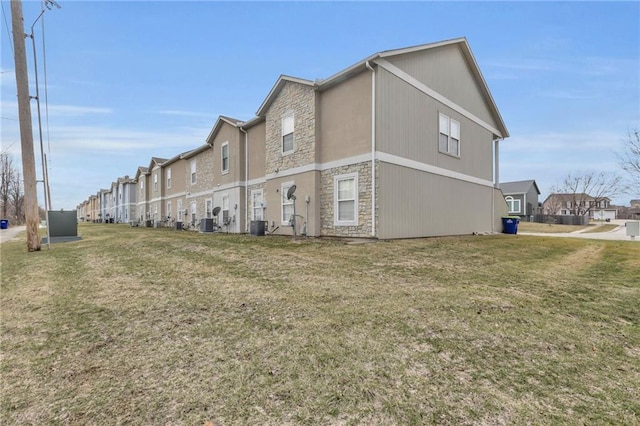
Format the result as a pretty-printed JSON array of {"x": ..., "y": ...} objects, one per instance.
[{"x": 407, "y": 126}]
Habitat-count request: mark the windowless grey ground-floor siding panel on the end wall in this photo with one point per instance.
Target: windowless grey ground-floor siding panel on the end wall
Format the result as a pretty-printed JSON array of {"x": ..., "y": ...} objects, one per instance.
[{"x": 418, "y": 204}]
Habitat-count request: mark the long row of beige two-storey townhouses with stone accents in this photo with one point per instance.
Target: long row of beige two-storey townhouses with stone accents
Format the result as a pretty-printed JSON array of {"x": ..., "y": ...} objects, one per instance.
[{"x": 404, "y": 143}]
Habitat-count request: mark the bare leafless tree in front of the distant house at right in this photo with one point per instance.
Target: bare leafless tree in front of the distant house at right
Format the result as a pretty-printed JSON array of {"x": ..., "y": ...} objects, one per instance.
[{"x": 580, "y": 192}]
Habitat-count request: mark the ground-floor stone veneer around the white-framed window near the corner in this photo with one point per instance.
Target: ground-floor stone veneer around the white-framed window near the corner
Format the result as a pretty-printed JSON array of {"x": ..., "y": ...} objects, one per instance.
[{"x": 327, "y": 227}]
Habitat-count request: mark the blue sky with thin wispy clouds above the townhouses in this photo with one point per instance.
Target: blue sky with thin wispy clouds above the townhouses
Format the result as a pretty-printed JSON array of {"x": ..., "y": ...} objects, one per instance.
[{"x": 132, "y": 80}]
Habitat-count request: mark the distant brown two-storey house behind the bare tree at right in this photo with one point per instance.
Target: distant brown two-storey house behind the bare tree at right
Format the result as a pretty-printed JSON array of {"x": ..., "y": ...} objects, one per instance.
[{"x": 579, "y": 204}]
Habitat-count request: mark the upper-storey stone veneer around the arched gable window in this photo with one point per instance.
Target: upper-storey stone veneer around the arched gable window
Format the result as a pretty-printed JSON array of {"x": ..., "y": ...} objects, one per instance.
[{"x": 299, "y": 99}]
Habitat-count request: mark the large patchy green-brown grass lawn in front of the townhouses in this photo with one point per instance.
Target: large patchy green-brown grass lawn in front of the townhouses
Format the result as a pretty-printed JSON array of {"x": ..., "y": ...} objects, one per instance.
[{"x": 154, "y": 326}]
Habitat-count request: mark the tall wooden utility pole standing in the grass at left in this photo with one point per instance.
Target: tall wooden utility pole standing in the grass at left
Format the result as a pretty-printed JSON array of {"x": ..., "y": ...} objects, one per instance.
[{"x": 26, "y": 132}]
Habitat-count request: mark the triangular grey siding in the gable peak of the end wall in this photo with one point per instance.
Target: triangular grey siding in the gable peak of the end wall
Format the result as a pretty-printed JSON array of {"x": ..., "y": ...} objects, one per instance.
[{"x": 447, "y": 71}]
